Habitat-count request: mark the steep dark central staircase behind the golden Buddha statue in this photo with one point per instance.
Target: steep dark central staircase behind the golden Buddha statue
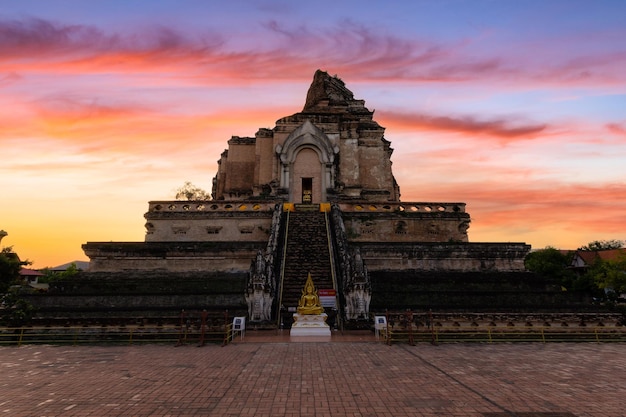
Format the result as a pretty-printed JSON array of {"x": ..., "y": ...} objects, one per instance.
[{"x": 306, "y": 251}]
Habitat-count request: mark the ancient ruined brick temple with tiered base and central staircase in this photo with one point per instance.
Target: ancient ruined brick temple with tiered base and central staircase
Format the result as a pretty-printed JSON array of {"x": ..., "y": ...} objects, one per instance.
[{"x": 315, "y": 194}]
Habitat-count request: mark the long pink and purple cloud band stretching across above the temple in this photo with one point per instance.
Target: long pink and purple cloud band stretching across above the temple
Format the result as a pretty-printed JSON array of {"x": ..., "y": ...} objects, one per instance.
[{"x": 290, "y": 52}]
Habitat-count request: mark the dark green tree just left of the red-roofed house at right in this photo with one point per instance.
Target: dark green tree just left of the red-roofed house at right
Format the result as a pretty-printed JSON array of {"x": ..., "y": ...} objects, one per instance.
[{"x": 553, "y": 264}]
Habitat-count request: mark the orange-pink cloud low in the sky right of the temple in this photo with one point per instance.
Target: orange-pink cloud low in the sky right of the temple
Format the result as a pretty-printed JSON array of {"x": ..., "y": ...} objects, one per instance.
[{"x": 529, "y": 208}]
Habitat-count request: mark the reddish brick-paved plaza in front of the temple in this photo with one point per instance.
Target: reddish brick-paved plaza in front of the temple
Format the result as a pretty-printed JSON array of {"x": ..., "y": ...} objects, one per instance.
[{"x": 274, "y": 377}]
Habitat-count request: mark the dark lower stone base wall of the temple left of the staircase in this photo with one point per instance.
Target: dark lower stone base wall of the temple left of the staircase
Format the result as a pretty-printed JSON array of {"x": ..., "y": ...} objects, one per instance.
[{"x": 141, "y": 294}]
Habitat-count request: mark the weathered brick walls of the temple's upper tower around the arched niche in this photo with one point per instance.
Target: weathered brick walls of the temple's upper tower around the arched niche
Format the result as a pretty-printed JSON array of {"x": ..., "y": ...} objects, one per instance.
[{"x": 361, "y": 167}]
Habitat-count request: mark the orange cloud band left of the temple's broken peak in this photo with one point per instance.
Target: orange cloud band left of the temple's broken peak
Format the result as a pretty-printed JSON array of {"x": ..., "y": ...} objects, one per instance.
[{"x": 128, "y": 127}]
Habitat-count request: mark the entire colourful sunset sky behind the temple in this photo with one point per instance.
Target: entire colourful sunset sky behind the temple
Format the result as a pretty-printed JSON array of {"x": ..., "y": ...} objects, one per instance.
[{"x": 517, "y": 108}]
